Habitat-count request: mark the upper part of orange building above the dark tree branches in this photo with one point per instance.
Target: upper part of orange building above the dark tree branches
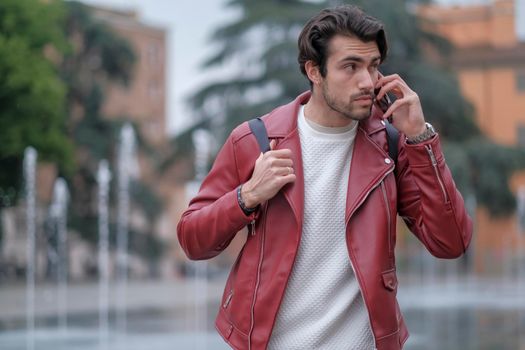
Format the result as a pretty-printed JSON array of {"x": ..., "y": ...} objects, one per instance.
[{"x": 489, "y": 58}]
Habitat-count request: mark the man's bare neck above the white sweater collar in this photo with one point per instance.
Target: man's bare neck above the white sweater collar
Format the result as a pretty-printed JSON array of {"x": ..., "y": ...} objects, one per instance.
[{"x": 320, "y": 113}]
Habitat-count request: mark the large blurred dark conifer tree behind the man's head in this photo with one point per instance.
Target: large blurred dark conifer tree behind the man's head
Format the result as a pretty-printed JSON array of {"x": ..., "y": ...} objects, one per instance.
[{"x": 260, "y": 45}]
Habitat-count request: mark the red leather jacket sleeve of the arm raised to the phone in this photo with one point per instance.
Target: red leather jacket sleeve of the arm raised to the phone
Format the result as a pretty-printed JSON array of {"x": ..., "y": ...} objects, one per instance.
[{"x": 429, "y": 202}]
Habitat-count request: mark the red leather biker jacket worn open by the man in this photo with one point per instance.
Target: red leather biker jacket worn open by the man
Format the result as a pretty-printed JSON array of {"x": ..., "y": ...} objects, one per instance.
[{"x": 421, "y": 191}]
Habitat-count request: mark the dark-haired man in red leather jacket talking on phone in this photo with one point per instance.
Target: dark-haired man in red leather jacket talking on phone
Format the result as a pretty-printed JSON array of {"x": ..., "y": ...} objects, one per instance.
[{"x": 317, "y": 270}]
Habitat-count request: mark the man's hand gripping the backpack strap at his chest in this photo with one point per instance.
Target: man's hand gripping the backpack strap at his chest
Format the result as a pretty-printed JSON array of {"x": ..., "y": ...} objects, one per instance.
[{"x": 273, "y": 170}]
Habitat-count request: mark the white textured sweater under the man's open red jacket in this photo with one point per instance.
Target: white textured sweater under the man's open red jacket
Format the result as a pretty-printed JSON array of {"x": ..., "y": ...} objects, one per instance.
[{"x": 322, "y": 307}]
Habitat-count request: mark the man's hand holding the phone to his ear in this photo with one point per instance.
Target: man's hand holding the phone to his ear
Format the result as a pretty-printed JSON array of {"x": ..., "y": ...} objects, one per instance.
[{"x": 407, "y": 111}]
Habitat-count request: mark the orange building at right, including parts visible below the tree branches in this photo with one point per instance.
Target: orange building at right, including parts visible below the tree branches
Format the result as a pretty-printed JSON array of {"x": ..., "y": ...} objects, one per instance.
[{"x": 489, "y": 59}]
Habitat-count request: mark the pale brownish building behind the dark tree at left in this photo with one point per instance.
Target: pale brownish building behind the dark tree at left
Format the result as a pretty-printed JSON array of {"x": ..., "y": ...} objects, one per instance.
[{"x": 144, "y": 100}]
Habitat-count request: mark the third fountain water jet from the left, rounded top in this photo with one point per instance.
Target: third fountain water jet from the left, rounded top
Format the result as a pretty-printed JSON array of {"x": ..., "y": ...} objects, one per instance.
[{"x": 103, "y": 179}]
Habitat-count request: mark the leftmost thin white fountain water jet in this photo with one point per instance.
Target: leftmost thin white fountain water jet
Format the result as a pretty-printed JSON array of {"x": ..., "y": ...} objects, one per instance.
[{"x": 30, "y": 157}]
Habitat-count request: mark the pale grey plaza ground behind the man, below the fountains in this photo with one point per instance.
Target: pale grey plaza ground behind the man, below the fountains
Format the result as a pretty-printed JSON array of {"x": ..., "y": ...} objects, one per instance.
[{"x": 450, "y": 313}]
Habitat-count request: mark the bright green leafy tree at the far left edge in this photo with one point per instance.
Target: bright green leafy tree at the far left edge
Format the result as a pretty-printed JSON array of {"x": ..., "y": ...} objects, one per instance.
[{"x": 31, "y": 93}]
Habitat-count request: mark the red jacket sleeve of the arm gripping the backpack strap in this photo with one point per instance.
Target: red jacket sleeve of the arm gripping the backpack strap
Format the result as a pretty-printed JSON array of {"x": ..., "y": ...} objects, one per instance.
[{"x": 214, "y": 215}]
